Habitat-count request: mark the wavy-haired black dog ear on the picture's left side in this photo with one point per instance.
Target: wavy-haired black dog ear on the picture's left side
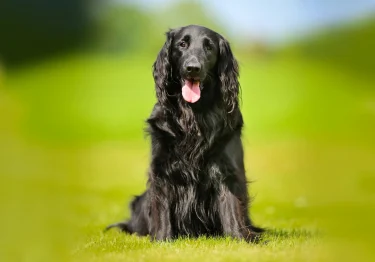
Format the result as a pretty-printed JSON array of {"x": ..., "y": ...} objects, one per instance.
[{"x": 162, "y": 70}]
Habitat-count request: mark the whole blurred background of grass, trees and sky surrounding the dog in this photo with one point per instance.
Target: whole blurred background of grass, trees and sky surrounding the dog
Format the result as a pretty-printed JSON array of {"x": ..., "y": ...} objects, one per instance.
[{"x": 76, "y": 87}]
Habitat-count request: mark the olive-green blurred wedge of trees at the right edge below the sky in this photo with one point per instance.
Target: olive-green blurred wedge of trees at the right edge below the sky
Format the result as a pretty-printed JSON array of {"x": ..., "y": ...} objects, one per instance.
[{"x": 348, "y": 47}]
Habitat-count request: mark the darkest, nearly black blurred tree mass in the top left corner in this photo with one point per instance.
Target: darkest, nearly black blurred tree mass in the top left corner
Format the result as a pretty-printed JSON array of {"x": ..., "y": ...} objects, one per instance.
[{"x": 32, "y": 30}]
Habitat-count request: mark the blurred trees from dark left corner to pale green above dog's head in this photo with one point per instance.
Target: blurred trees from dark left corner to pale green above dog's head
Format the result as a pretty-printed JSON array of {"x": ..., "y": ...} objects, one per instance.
[{"x": 33, "y": 30}]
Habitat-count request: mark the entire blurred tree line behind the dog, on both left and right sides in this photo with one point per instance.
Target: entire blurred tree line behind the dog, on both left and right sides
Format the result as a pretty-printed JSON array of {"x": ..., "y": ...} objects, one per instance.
[{"x": 33, "y": 30}]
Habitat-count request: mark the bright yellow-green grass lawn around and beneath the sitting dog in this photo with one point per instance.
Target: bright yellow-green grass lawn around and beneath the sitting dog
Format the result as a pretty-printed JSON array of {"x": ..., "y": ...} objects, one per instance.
[{"x": 73, "y": 154}]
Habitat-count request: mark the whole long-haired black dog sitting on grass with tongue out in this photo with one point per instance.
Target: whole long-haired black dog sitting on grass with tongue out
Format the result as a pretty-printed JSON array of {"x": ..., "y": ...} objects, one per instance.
[{"x": 197, "y": 184}]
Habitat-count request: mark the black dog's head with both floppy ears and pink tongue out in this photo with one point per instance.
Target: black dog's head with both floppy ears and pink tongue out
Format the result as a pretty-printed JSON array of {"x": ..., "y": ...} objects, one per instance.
[{"x": 193, "y": 62}]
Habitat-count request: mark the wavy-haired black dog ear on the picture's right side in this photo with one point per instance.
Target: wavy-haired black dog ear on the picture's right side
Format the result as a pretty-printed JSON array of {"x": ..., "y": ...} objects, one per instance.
[{"x": 228, "y": 74}]
